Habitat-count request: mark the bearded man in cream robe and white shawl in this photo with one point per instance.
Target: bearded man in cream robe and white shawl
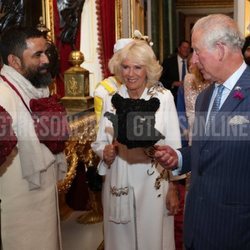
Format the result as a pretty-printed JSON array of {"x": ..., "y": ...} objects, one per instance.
[{"x": 28, "y": 178}]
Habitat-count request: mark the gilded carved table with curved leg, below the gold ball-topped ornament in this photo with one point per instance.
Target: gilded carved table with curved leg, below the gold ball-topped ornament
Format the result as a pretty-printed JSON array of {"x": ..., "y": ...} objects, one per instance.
[{"x": 78, "y": 148}]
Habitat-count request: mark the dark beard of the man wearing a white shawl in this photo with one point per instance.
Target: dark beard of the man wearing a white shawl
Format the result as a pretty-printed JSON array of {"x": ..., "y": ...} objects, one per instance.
[{"x": 38, "y": 79}]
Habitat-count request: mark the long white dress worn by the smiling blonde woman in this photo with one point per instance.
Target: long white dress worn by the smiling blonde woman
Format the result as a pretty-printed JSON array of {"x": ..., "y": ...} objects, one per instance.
[{"x": 145, "y": 224}]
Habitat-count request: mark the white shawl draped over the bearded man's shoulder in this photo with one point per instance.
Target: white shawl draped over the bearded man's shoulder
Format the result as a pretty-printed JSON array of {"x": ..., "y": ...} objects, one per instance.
[{"x": 35, "y": 157}]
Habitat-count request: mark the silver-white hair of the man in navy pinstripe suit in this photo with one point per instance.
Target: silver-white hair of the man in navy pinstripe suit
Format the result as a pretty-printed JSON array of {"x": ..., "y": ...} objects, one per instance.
[{"x": 219, "y": 28}]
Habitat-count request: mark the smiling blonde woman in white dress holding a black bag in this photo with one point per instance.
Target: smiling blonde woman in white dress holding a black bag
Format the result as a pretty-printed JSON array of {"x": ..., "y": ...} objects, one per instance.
[{"x": 138, "y": 202}]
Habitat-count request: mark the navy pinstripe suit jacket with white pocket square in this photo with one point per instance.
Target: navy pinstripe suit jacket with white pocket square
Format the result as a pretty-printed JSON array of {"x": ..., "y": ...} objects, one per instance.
[{"x": 217, "y": 215}]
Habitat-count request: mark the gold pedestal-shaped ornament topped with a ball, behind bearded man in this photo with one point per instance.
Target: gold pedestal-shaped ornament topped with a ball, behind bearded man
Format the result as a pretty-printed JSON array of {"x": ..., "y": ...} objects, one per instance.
[{"x": 76, "y": 84}]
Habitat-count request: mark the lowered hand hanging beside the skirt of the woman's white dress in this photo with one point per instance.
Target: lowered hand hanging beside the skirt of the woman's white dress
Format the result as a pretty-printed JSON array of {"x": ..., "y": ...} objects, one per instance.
[{"x": 172, "y": 199}]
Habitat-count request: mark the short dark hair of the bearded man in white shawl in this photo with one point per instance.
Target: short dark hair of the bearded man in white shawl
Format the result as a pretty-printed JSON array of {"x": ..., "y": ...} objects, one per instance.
[{"x": 13, "y": 41}]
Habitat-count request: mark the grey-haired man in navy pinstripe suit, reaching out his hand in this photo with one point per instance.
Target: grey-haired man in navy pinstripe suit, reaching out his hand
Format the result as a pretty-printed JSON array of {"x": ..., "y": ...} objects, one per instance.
[{"x": 217, "y": 214}]
